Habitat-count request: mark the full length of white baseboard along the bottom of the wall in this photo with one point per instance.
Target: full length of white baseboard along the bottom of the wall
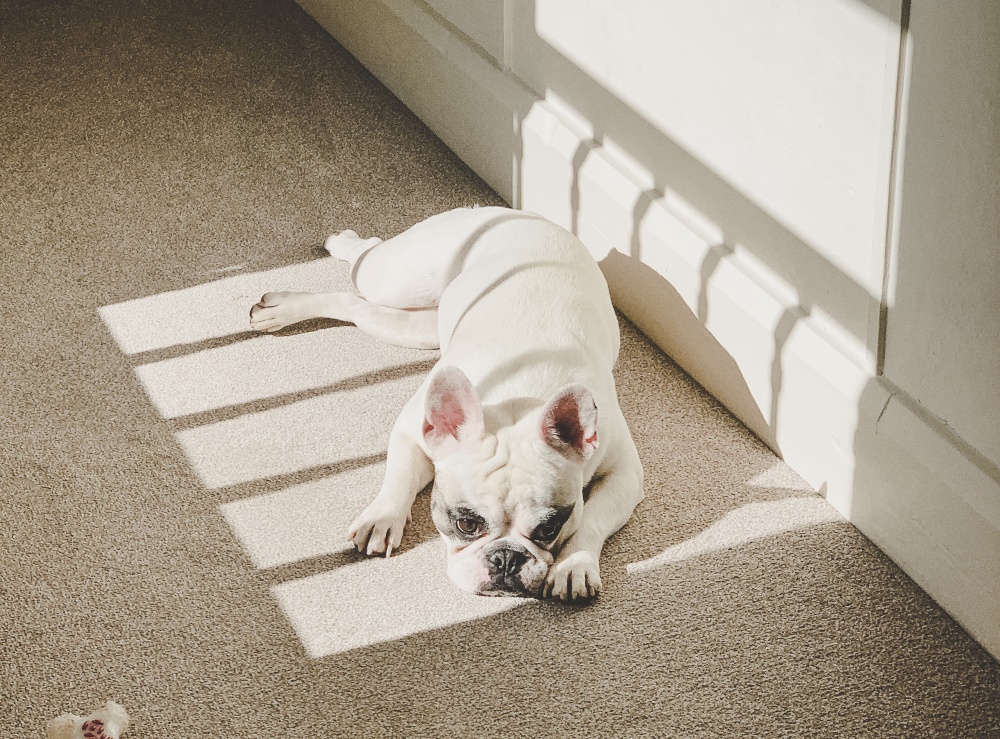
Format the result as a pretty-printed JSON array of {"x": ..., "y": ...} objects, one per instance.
[{"x": 795, "y": 379}]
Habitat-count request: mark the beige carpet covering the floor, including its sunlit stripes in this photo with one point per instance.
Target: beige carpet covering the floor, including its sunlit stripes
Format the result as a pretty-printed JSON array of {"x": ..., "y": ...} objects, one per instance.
[{"x": 174, "y": 491}]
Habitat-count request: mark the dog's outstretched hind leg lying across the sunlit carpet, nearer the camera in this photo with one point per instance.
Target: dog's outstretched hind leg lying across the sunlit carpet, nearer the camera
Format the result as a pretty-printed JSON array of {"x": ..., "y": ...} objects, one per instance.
[{"x": 410, "y": 328}]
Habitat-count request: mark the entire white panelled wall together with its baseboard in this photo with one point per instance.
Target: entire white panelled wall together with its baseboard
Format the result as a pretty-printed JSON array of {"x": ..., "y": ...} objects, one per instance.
[{"x": 731, "y": 163}]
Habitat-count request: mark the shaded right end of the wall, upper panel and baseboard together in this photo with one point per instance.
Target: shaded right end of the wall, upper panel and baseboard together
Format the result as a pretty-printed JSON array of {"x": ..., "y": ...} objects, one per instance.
[{"x": 932, "y": 494}]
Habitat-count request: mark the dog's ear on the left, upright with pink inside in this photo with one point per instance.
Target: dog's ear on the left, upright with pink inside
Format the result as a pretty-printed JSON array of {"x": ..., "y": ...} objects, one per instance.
[{"x": 453, "y": 414}]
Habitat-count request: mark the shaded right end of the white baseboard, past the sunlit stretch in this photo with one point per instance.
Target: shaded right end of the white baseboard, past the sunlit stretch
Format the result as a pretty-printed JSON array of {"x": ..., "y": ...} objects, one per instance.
[{"x": 932, "y": 503}]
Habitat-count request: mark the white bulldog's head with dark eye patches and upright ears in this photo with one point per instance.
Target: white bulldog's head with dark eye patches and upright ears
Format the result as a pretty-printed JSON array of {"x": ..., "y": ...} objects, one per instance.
[{"x": 506, "y": 500}]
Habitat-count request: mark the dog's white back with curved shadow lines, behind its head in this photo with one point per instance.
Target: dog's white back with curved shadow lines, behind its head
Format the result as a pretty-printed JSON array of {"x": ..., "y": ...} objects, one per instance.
[{"x": 528, "y": 311}]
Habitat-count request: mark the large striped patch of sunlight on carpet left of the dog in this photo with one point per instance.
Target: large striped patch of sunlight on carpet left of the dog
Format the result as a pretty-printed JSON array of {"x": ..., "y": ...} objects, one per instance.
[{"x": 272, "y": 410}]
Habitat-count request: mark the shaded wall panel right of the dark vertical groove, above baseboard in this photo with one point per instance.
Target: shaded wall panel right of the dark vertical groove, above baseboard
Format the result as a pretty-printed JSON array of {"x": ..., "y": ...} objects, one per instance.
[{"x": 943, "y": 340}]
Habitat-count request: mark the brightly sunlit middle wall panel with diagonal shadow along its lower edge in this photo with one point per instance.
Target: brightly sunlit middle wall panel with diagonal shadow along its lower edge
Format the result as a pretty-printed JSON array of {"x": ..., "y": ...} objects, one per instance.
[{"x": 784, "y": 103}]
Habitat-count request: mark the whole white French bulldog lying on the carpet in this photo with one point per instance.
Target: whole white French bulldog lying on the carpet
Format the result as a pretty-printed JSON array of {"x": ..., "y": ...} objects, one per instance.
[{"x": 518, "y": 425}]
